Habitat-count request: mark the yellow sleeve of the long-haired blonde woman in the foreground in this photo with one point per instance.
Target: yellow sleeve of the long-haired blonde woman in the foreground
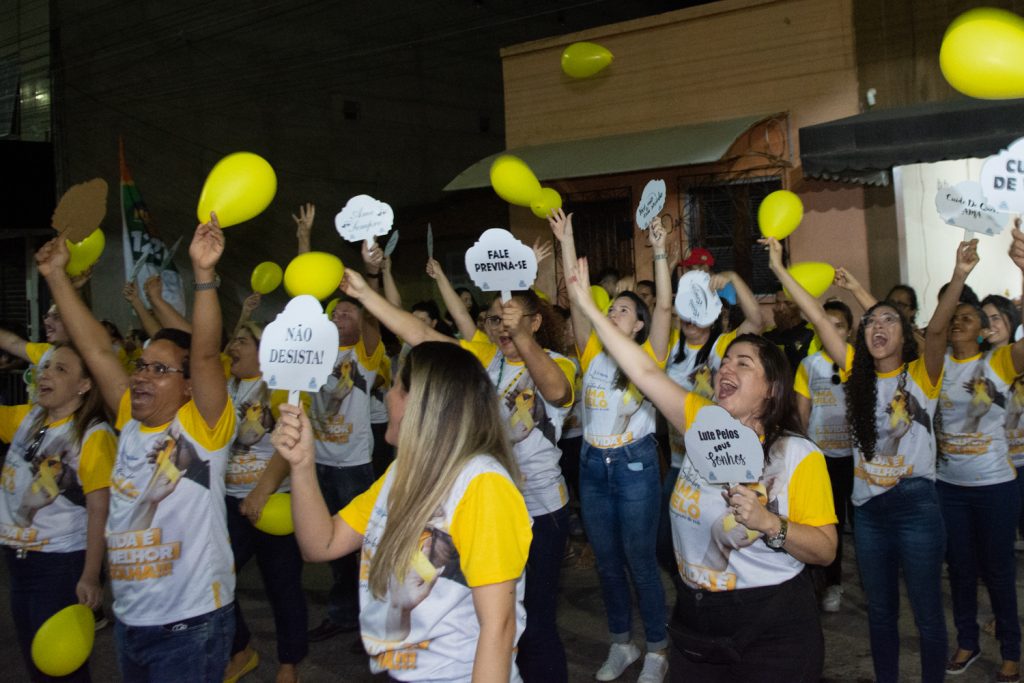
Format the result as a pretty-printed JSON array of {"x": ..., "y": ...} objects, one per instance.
[{"x": 492, "y": 531}]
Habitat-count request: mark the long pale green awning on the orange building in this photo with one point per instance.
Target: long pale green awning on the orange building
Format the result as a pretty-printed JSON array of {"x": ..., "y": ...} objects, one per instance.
[{"x": 681, "y": 146}]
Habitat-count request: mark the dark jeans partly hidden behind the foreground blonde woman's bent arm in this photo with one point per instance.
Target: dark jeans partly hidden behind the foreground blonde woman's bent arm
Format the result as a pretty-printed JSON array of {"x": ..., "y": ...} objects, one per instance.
[{"x": 340, "y": 486}]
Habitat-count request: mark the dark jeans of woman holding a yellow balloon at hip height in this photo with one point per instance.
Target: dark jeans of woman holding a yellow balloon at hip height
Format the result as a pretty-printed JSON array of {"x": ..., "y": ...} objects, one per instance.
[{"x": 280, "y": 566}]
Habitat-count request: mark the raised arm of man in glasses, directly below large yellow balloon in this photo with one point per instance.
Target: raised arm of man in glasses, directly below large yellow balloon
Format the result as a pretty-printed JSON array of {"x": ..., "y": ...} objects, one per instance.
[{"x": 208, "y": 388}]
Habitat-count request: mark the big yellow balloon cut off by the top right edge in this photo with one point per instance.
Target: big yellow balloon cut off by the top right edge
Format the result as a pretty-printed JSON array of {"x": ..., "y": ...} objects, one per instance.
[{"x": 983, "y": 55}]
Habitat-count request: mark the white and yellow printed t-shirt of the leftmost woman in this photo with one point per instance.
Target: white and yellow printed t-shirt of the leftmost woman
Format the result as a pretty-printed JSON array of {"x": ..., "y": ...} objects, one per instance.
[{"x": 42, "y": 501}]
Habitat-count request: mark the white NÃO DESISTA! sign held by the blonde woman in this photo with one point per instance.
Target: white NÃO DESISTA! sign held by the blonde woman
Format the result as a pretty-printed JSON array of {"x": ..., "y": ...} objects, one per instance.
[{"x": 298, "y": 350}]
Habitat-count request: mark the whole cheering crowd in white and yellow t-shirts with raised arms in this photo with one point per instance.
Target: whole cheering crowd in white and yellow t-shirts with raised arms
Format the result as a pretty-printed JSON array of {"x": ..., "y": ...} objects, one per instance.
[{"x": 148, "y": 465}]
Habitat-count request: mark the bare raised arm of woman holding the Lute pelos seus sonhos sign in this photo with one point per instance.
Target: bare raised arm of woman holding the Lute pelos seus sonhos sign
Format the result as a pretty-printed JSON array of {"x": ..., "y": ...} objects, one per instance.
[{"x": 638, "y": 366}]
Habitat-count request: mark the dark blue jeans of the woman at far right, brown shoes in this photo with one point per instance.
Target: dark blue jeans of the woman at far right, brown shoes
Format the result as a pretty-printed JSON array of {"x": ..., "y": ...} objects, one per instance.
[{"x": 980, "y": 542}]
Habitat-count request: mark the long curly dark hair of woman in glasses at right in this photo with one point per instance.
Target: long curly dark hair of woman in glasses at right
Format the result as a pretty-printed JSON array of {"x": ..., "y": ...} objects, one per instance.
[{"x": 863, "y": 388}]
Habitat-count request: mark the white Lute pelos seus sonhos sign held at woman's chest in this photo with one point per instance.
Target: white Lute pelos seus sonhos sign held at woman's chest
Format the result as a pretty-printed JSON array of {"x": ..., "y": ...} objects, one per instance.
[{"x": 722, "y": 450}]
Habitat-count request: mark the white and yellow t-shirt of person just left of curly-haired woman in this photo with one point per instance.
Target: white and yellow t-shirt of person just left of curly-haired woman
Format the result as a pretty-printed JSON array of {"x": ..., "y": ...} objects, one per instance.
[{"x": 821, "y": 379}]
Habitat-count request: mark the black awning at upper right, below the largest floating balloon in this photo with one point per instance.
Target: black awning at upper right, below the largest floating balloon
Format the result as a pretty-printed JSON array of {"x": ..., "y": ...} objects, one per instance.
[{"x": 864, "y": 148}]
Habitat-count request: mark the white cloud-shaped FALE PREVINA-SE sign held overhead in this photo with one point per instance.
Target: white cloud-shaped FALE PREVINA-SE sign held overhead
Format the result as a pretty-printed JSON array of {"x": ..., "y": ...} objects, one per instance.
[{"x": 499, "y": 263}]
